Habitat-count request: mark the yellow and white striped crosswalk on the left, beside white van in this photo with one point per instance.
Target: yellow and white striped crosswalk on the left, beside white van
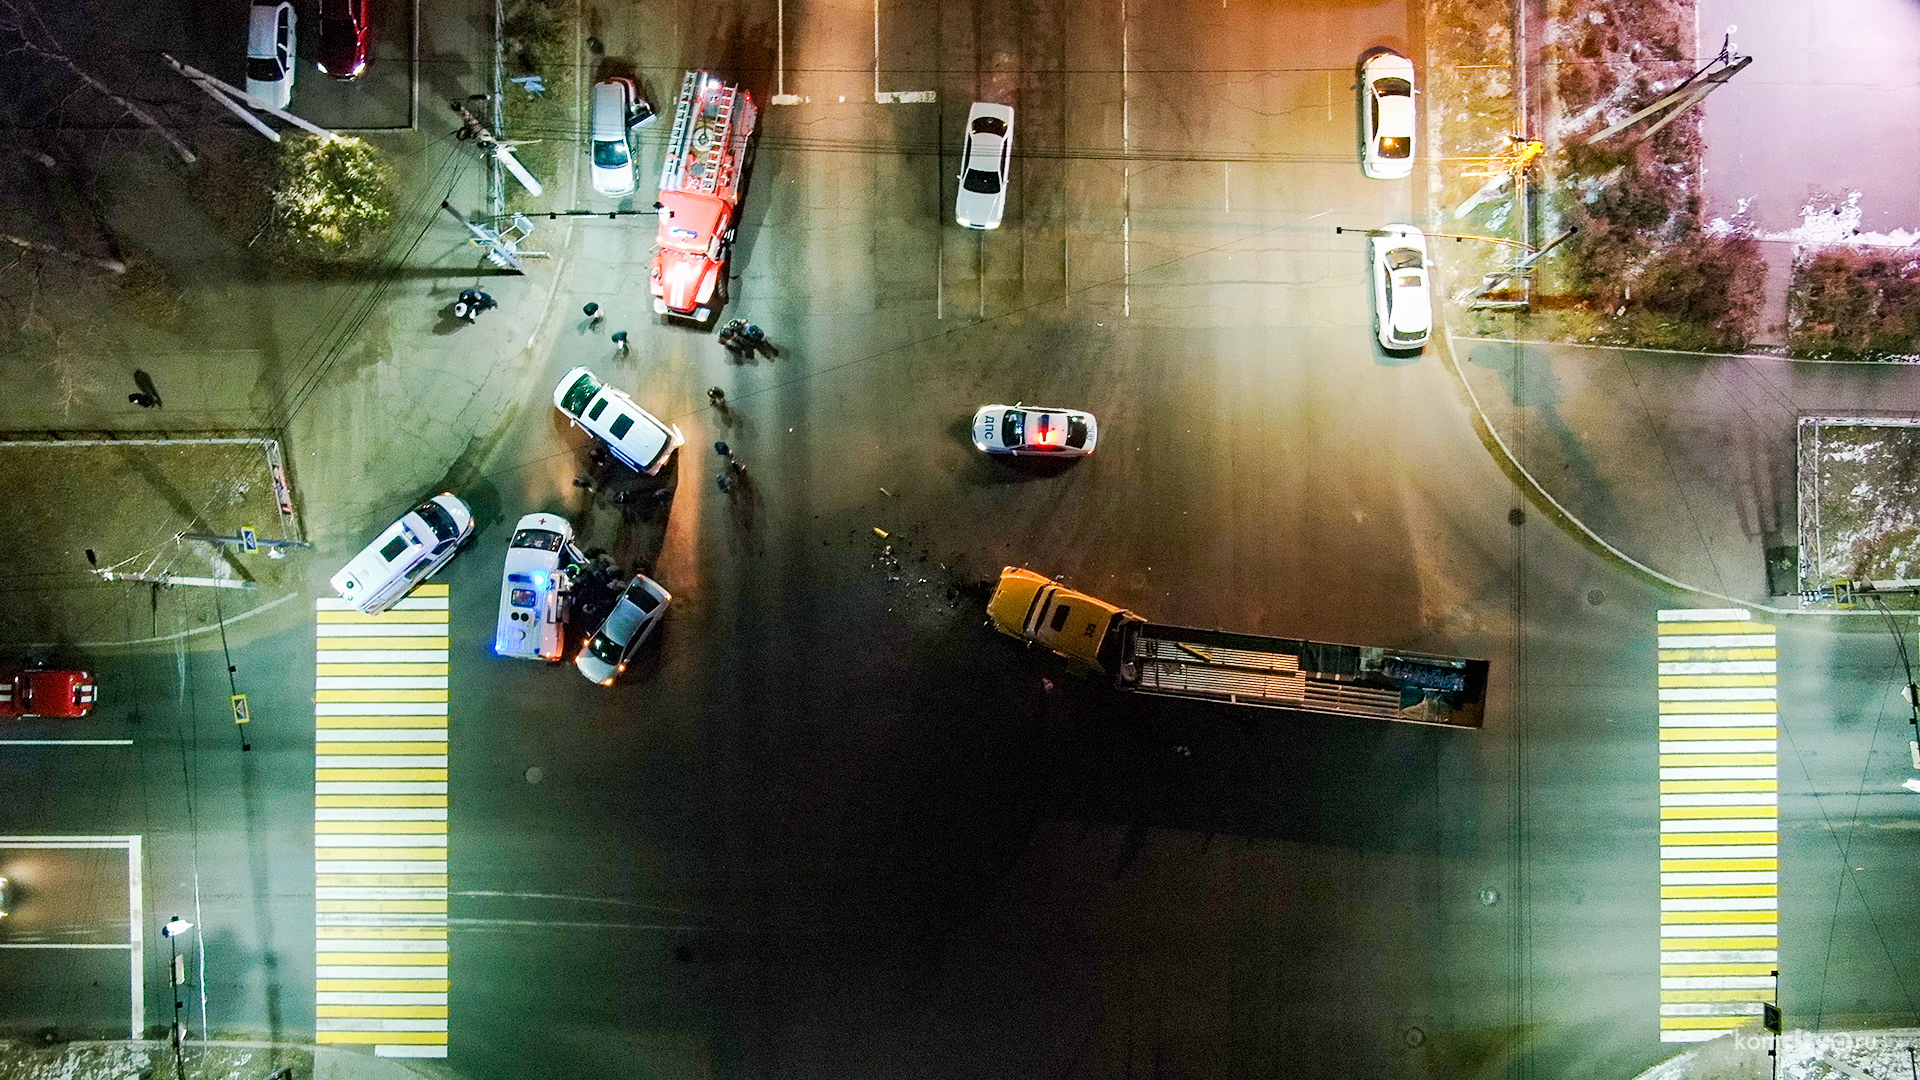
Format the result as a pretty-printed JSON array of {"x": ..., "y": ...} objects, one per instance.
[{"x": 381, "y": 825}]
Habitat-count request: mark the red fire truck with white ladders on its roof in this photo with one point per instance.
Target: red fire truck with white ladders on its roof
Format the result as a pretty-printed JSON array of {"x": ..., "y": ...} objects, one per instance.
[{"x": 709, "y": 155}]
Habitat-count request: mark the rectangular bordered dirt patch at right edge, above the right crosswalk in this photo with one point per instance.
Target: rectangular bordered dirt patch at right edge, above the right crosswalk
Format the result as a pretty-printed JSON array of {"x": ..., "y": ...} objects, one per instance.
[{"x": 1858, "y": 497}]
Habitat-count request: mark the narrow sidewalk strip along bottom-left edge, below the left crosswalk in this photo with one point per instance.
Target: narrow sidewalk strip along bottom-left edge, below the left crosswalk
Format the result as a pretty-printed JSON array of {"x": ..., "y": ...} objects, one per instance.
[{"x": 22, "y": 1060}]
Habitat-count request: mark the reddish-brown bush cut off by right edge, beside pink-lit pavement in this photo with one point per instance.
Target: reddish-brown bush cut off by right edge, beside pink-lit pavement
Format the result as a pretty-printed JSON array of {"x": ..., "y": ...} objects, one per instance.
[{"x": 1856, "y": 307}]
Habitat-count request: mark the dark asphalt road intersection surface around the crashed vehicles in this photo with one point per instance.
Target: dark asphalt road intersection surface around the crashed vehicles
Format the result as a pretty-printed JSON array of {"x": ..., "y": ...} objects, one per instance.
[{"x": 832, "y": 825}]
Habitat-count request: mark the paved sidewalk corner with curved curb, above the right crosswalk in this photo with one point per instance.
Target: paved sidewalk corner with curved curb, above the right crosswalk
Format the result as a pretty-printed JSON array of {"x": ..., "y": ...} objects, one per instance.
[{"x": 1683, "y": 462}]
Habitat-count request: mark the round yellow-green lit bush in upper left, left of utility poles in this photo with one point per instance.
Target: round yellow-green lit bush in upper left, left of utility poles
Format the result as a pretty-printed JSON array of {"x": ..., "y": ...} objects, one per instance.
[{"x": 331, "y": 199}]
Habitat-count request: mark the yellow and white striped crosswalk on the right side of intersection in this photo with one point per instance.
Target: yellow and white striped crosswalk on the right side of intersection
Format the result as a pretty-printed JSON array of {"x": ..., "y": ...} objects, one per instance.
[{"x": 1719, "y": 822}]
